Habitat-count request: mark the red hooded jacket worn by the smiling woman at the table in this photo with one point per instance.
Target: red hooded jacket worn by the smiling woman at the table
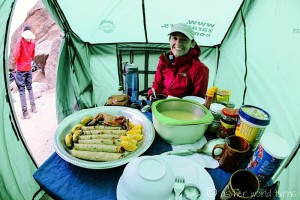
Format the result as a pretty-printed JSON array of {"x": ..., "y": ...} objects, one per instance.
[{"x": 186, "y": 76}]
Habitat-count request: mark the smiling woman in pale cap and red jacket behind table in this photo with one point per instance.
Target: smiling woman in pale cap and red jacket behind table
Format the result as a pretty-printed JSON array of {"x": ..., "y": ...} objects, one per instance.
[{"x": 180, "y": 72}]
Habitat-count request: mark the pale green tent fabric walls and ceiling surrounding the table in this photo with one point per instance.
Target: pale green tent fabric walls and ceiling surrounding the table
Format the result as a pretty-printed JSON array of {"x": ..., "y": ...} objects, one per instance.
[{"x": 250, "y": 47}]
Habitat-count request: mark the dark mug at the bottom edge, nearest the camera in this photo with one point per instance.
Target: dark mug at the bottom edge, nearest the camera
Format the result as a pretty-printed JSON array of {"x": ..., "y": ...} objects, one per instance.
[{"x": 242, "y": 184}]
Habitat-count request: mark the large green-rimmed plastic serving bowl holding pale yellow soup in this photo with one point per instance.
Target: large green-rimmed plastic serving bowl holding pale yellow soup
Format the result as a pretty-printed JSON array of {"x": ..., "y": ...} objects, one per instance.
[{"x": 176, "y": 129}]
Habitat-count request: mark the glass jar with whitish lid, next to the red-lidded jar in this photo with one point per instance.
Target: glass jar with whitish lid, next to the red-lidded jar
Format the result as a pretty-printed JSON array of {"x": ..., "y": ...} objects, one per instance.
[{"x": 216, "y": 110}]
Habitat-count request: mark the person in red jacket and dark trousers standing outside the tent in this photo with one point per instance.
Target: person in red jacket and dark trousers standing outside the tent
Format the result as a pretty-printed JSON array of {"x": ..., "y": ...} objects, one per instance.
[{"x": 23, "y": 55}]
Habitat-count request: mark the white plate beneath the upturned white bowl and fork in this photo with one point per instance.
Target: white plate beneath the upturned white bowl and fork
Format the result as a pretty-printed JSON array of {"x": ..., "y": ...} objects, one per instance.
[{"x": 205, "y": 182}]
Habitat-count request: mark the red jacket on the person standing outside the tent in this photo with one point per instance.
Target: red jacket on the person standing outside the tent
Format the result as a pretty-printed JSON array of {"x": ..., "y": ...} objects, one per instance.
[{"x": 24, "y": 54}]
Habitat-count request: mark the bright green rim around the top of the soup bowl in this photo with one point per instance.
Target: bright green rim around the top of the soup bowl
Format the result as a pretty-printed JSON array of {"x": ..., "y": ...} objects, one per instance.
[{"x": 206, "y": 119}]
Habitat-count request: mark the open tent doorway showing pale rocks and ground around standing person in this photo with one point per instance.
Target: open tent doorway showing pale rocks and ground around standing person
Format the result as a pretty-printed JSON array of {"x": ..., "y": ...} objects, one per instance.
[{"x": 38, "y": 131}]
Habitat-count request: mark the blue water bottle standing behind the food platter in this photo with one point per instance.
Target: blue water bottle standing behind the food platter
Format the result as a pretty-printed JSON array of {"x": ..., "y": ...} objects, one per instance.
[{"x": 132, "y": 82}]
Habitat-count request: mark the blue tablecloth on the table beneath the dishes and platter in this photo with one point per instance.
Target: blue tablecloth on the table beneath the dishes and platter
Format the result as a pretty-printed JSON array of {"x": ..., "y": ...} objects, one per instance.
[{"x": 62, "y": 180}]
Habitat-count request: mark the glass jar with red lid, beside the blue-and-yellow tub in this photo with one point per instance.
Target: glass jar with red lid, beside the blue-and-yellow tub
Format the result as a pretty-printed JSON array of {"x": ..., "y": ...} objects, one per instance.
[{"x": 228, "y": 121}]
